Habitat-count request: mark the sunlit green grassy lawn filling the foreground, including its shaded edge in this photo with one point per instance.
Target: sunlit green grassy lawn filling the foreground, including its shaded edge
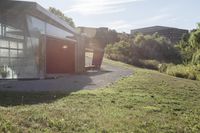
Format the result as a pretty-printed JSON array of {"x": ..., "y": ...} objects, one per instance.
[{"x": 147, "y": 101}]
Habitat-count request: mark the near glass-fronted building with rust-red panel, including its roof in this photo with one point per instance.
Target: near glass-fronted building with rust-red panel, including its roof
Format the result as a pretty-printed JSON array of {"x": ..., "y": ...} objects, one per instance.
[{"x": 35, "y": 43}]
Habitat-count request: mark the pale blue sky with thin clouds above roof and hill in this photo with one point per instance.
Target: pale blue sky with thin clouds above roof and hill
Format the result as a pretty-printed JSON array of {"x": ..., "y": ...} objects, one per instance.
[{"x": 124, "y": 15}]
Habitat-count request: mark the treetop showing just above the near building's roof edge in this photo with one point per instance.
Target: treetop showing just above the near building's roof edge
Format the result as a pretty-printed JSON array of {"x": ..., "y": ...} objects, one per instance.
[{"x": 61, "y": 15}]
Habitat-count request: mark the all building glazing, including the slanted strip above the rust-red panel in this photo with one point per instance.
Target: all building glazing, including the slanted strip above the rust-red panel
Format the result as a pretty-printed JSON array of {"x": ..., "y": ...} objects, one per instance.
[{"x": 20, "y": 48}]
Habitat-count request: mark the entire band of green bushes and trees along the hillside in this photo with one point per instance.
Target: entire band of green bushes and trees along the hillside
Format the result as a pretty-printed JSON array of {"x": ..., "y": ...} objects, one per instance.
[{"x": 158, "y": 53}]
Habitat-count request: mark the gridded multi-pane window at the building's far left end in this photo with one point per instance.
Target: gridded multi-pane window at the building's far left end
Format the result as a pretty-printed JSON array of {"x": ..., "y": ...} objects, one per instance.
[{"x": 11, "y": 51}]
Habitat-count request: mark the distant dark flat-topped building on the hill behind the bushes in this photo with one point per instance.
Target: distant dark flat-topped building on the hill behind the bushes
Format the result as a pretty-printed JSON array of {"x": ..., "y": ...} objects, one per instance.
[{"x": 173, "y": 34}]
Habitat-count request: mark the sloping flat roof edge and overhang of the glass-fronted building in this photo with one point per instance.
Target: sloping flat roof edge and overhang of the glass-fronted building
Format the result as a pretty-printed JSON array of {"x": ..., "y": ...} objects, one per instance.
[{"x": 35, "y": 9}]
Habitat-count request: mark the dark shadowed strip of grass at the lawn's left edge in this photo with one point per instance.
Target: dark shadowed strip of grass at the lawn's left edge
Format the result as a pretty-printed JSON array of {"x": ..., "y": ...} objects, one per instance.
[{"x": 29, "y": 98}]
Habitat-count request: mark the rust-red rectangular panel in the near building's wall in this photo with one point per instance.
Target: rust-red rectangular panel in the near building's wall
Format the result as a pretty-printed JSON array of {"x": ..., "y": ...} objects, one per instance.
[{"x": 60, "y": 56}]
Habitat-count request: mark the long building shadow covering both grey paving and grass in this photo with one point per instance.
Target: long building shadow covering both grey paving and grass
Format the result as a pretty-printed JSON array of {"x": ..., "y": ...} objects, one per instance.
[{"x": 11, "y": 96}]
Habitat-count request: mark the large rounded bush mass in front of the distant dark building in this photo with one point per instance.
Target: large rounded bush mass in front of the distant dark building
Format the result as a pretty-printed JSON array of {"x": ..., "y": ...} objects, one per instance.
[{"x": 143, "y": 47}]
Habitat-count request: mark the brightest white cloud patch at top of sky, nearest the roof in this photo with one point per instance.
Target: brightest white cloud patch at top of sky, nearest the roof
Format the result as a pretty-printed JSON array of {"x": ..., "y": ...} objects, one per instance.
[{"x": 96, "y": 7}]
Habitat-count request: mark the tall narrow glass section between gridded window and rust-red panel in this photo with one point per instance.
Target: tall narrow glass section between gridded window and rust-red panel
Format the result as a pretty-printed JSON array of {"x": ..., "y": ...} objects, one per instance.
[{"x": 36, "y": 28}]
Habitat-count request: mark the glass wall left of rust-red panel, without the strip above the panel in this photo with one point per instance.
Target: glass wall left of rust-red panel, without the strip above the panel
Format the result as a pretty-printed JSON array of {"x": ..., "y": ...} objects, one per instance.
[{"x": 19, "y": 50}]
